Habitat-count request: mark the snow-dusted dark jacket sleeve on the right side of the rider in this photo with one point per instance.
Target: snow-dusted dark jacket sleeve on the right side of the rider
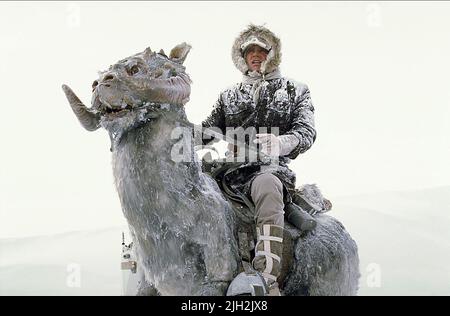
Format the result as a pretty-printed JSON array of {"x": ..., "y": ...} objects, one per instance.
[{"x": 302, "y": 121}]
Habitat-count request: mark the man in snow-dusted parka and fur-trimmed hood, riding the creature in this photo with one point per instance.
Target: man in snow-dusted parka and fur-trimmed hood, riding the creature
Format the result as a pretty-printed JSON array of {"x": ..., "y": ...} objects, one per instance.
[{"x": 265, "y": 99}]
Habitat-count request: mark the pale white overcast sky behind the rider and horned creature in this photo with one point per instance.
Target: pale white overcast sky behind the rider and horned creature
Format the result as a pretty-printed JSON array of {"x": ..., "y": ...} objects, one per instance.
[{"x": 378, "y": 74}]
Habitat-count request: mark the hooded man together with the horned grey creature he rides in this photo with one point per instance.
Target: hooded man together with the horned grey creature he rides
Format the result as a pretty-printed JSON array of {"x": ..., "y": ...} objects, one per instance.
[{"x": 184, "y": 229}]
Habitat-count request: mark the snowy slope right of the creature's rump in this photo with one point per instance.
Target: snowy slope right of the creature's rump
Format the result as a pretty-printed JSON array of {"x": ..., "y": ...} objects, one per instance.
[{"x": 403, "y": 240}]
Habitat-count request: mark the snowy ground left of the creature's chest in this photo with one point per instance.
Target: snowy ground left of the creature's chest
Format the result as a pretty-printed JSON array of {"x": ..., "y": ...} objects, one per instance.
[{"x": 76, "y": 263}]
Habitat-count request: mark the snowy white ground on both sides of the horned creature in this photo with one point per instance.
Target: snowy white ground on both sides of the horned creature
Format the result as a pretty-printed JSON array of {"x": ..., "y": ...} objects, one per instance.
[{"x": 403, "y": 239}]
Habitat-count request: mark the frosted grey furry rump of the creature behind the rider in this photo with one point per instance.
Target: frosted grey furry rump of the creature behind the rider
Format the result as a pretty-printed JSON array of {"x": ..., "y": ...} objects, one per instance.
[{"x": 327, "y": 261}]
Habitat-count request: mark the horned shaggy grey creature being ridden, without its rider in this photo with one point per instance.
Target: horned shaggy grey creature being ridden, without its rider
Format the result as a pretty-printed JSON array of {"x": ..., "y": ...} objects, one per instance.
[{"x": 182, "y": 227}]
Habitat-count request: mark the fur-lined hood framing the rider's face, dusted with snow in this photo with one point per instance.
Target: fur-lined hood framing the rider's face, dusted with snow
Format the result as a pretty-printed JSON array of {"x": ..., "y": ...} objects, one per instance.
[{"x": 274, "y": 56}]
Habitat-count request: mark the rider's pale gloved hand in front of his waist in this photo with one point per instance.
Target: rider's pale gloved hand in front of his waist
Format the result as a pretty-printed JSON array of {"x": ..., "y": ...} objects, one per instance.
[{"x": 276, "y": 146}]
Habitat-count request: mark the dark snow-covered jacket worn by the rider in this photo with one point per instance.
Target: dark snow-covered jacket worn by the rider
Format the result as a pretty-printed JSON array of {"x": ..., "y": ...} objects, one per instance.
[{"x": 283, "y": 103}]
